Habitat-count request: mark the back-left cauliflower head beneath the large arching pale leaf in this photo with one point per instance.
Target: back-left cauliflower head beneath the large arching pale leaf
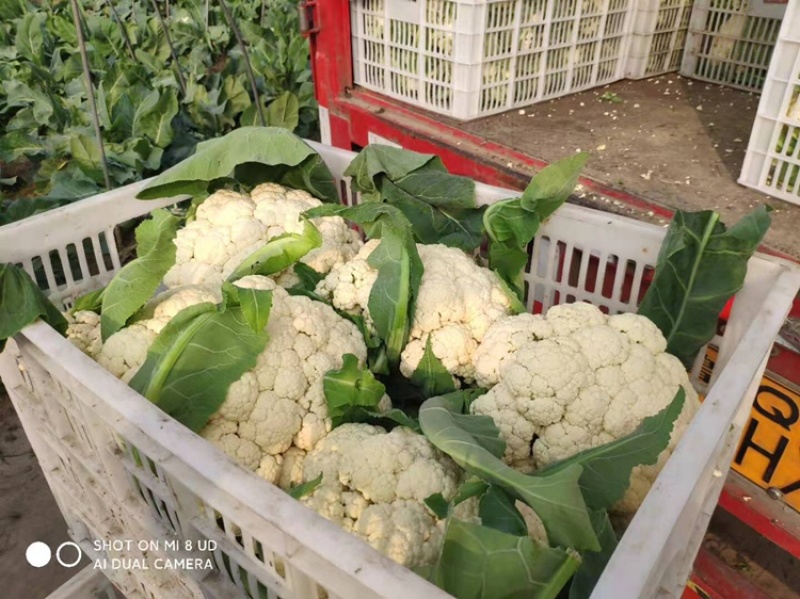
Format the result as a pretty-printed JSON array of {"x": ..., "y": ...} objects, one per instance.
[{"x": 229, "y": 226}]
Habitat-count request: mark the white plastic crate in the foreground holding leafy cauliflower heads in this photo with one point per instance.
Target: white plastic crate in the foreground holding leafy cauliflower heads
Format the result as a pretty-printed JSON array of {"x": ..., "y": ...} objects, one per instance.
[{"x": 120, "y": 468}]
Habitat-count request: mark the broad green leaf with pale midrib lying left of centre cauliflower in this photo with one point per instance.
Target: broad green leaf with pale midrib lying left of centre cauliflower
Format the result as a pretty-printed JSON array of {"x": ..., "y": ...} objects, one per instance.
[{"x": 196, "y": 358}]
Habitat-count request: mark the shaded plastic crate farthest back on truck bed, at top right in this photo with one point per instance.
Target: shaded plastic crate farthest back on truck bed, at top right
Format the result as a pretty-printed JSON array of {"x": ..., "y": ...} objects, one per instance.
[{"x": 730, "y": 42}]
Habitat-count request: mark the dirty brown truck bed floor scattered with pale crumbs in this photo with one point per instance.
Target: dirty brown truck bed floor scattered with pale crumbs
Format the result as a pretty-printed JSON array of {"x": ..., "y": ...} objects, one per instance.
[{"x": 674, "y": 141}]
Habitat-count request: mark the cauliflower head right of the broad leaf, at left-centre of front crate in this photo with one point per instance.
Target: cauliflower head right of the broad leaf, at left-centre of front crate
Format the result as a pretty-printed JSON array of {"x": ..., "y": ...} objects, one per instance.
[{"x": 279, "y": 406}]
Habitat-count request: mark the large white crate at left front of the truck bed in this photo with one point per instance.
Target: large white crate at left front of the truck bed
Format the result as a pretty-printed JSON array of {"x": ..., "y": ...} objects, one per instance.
[{"x": 471, "y": 58}]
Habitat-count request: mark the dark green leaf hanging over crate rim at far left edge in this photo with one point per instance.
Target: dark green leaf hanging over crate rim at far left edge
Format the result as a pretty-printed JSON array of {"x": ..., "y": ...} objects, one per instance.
[{"x": 22, "y": 303}]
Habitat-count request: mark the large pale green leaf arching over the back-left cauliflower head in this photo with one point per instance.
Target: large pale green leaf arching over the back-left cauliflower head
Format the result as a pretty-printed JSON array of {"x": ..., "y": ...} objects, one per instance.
[{"x": 252, "y": 155}]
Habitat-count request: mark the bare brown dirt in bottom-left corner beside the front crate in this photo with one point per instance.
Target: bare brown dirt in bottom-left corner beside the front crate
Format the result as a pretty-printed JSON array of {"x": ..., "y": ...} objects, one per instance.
[{"x": 28, "y": 513}]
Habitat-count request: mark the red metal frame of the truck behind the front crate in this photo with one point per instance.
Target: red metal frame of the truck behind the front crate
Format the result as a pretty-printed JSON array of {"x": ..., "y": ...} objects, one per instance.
[{"x": 354, "y": 113}]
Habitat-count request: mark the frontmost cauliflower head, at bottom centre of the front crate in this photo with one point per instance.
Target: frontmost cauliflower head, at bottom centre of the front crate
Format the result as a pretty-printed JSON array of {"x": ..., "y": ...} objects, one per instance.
[{"x": 374, "y": 485}]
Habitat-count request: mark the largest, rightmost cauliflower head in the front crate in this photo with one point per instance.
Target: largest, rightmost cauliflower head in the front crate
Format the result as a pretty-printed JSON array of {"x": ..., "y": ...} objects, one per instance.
[{"x": 575, "y": 379}]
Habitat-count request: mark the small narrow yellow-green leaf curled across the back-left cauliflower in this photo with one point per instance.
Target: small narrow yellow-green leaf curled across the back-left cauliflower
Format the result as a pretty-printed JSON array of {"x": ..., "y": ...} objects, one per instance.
[{"x": 279, "y": 253}]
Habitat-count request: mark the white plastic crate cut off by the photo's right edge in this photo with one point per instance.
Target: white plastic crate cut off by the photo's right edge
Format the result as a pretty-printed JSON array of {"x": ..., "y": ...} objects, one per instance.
[{"x": 772, "y": 162}]
